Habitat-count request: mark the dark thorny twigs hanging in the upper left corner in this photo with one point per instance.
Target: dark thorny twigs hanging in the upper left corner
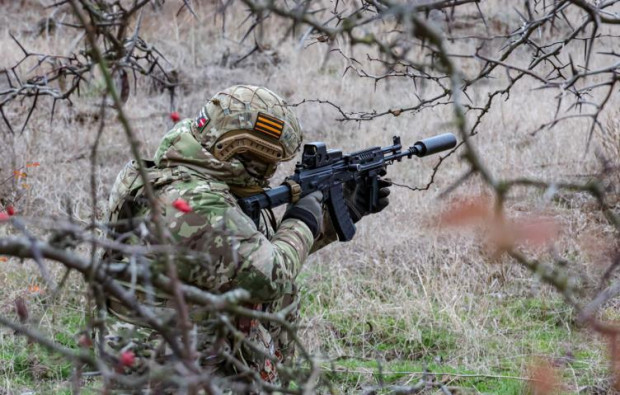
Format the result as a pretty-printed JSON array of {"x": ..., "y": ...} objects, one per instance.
[{"x": 62, "y": 77}]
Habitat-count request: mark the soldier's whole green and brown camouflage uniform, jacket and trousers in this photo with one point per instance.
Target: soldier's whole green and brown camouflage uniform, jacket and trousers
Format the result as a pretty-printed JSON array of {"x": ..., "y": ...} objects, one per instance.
[{"x": 235, "y": 254}]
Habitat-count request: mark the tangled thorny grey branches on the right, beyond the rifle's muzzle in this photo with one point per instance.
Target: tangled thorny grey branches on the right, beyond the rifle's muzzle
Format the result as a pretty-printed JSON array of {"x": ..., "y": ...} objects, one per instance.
[{"x": 550, "y": 64}]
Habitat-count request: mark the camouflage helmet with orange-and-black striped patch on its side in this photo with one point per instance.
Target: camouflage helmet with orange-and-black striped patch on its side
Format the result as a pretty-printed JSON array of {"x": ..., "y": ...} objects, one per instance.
[{"x": 252, "y": 124}]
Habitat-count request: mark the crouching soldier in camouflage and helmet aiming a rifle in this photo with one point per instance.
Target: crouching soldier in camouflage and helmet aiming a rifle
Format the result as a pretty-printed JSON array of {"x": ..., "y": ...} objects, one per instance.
[{"x": 230, "y": 150}]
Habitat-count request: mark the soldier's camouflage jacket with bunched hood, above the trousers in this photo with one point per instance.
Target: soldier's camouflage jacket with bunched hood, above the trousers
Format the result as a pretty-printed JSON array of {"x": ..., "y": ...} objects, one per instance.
[{"x": 238, "y": 255}]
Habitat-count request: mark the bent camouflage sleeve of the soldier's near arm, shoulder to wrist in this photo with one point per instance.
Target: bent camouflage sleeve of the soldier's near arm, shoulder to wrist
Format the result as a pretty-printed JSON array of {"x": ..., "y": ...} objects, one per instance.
[{"x": 232, "y": 252}]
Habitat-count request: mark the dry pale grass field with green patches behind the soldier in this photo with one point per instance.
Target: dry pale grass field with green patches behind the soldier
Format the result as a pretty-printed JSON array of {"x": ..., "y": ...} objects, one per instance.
[{"x": 402, "y": 293}]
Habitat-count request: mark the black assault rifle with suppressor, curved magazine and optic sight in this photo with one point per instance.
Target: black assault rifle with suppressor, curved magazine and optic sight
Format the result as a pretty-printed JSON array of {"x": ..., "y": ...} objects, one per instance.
[{"x": 326, "y": 170}]
